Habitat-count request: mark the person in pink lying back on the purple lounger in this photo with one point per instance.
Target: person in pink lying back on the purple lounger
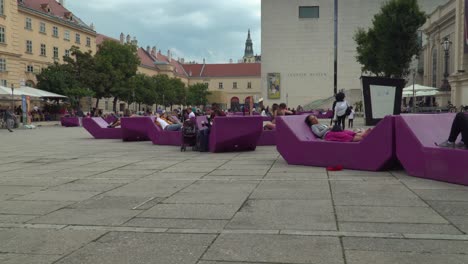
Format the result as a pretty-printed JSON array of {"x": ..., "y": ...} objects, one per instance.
[{"x": 334, "y": 133}]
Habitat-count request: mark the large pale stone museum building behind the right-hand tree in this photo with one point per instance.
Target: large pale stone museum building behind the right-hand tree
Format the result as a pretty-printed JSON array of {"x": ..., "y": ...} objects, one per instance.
[{"x": 305, "y": 42}]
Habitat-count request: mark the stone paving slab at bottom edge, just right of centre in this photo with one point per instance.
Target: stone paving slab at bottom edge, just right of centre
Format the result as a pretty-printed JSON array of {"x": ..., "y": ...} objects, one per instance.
[{"x": 274, "y": 248}]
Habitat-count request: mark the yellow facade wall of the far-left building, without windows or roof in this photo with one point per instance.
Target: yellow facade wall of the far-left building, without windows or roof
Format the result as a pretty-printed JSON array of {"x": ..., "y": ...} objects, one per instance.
[{"x": 15, "y": 49}]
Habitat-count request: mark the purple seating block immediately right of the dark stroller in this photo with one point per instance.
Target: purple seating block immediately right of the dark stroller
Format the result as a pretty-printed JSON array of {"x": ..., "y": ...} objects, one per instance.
[{"x": 239, "y": 133}]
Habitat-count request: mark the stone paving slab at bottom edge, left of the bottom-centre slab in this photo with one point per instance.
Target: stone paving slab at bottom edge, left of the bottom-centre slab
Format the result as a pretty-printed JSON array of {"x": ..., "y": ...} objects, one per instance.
[{"x": 124, "y": 248}]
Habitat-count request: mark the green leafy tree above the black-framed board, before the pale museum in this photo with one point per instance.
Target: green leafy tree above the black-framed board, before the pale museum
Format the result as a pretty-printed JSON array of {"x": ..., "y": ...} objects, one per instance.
[{"x": 388, "y": 47}]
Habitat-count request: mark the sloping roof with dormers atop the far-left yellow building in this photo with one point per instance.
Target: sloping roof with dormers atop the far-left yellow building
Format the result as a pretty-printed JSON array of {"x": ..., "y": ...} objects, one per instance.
[{"x": 56, "y": 10}]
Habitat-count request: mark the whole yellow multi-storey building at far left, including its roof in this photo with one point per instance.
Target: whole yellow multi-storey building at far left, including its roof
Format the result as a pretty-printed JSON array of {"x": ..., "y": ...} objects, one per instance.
[{"x": 36, "y": 33}]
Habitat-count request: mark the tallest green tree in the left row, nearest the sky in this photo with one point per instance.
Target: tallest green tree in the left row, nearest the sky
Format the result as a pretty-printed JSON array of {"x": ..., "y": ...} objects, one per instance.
[{"x": 116, "y": 64}]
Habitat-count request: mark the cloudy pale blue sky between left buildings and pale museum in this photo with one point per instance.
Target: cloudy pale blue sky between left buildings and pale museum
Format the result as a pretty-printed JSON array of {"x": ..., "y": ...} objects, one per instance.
[{"x": 191, "y": 29}]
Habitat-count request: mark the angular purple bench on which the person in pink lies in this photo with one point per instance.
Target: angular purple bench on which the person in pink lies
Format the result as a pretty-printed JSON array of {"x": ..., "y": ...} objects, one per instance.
[{"x": 299, "y": 146}]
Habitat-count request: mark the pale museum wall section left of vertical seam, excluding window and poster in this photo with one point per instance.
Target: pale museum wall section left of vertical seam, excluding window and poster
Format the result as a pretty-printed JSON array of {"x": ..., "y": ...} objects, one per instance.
[{"x": 301, "y": 50}]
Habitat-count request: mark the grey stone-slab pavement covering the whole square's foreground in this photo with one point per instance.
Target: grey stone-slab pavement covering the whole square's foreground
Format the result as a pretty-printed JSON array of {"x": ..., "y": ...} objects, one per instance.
[{"x": 67, "y": 198}]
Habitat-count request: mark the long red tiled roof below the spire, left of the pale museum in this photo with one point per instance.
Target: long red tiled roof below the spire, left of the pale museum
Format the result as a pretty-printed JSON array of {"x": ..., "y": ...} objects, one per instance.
[{"x": 224, "y": 70}]
